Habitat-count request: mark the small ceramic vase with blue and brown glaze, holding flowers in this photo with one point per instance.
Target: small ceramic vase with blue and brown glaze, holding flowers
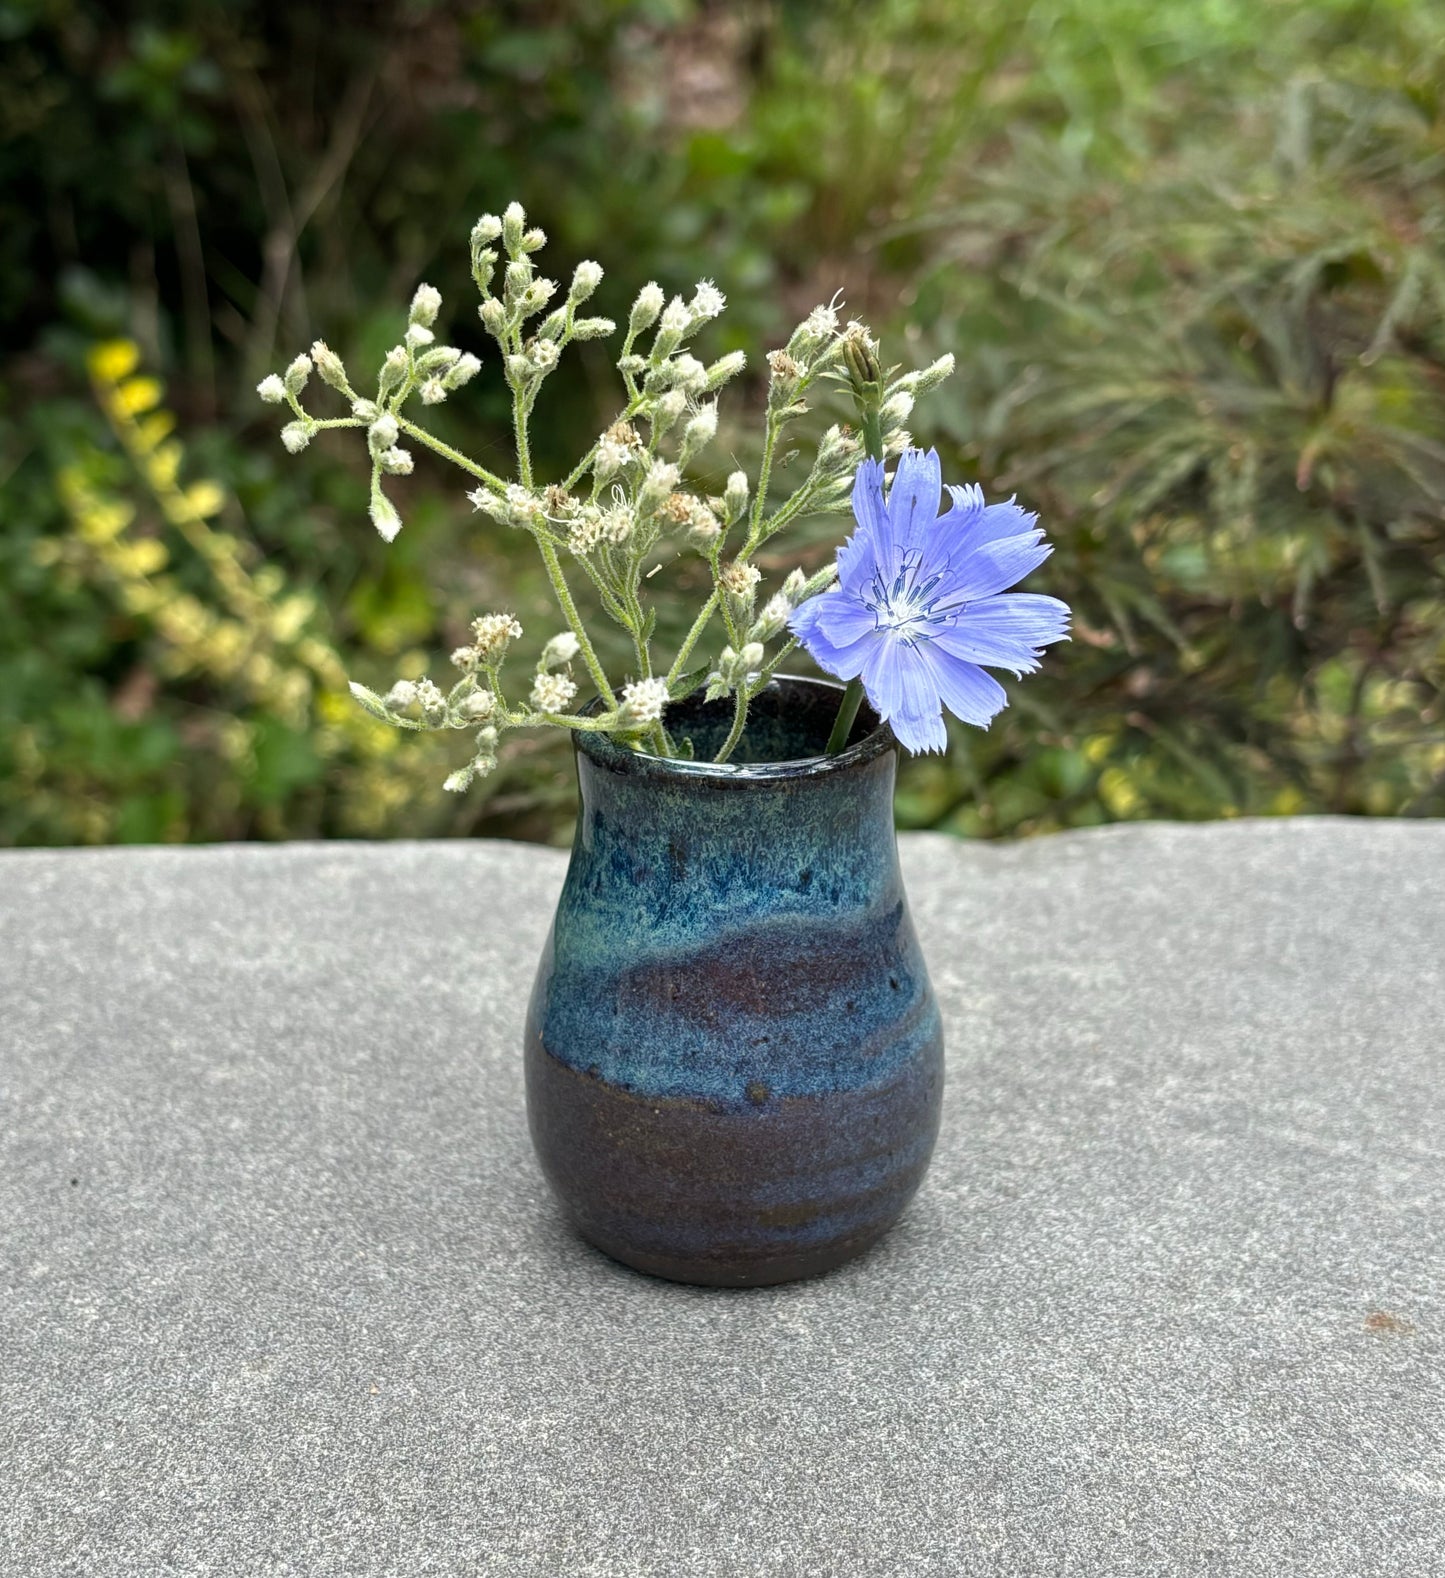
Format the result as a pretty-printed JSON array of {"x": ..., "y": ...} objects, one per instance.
[{"x": 734, "y": 1056}]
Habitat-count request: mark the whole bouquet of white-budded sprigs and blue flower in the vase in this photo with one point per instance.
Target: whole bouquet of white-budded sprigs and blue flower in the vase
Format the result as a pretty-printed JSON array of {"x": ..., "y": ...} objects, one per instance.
[{"x": 913, "y": 613}]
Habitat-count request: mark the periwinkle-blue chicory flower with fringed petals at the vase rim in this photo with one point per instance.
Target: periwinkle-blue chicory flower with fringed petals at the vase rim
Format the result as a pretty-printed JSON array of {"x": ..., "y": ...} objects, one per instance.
[{"x": 917, "y": 611}]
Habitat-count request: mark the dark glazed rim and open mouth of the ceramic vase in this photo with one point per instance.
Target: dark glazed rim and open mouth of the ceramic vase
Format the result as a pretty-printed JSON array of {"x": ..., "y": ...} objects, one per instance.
[{"x": 790, "y": 724}]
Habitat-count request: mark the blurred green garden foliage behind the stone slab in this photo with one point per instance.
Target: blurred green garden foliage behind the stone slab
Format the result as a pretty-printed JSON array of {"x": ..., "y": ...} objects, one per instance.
[{"x": 1189, "y": 256}]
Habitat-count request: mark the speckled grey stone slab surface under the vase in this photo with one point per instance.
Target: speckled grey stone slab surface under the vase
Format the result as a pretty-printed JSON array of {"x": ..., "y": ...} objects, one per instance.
[{"x": 283, "y": 1293}]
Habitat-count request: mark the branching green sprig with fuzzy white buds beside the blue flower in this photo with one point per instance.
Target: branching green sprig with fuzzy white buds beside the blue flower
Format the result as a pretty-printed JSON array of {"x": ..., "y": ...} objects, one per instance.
[{"x": 629, "y": 501}]
